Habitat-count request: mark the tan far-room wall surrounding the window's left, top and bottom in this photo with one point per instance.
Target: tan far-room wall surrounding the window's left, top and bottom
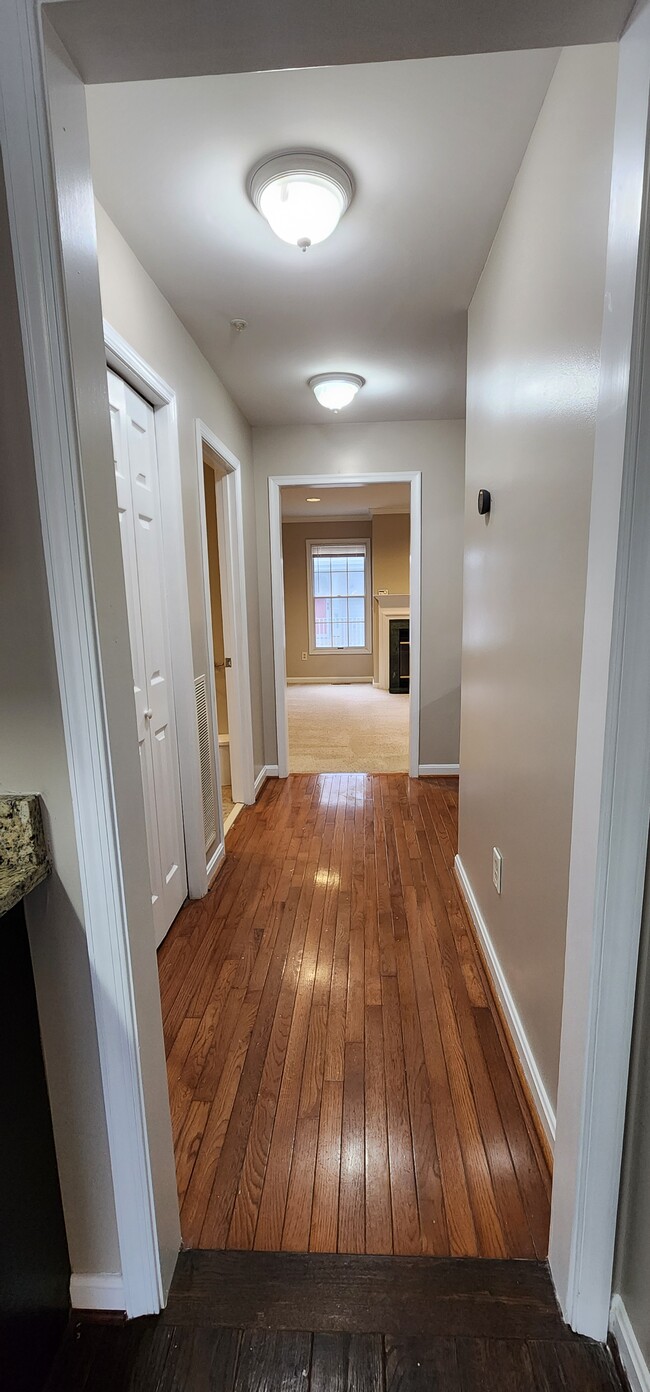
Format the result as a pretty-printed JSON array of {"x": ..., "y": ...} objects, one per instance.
[{"x": 329, "y": 667}]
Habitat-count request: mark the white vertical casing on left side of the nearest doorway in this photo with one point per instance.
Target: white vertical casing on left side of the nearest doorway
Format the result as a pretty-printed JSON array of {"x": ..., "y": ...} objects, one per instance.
[{"x": 44, "y": 313}]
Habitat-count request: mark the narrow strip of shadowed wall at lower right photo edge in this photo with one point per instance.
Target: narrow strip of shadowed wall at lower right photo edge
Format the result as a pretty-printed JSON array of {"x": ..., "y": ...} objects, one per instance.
[{"x": 633, "y": 1265}]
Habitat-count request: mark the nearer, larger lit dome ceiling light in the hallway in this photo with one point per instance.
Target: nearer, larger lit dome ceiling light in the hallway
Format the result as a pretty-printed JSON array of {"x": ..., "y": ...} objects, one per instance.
[{"x": 303, "y": 196}]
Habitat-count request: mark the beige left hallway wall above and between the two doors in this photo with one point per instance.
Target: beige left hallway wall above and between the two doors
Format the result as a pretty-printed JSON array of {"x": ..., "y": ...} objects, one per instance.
[{"x": 137, "y": 310}]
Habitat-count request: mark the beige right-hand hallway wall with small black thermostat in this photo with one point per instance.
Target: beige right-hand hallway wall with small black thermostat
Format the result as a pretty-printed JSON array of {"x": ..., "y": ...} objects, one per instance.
[{"x": 535, "y": 328}]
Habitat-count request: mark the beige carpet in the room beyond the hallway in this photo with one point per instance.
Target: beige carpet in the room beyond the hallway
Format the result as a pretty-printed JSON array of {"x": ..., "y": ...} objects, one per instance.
[{"x": 346, "y": 730}]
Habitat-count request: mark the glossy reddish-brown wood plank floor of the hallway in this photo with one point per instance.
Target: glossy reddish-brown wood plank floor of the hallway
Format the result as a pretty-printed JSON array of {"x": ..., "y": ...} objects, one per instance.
[{"x": 338, "y": 1073}]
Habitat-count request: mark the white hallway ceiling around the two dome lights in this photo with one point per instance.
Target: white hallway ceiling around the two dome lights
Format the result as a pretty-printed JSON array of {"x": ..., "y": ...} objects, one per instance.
[{"x": 434, "y": 147}]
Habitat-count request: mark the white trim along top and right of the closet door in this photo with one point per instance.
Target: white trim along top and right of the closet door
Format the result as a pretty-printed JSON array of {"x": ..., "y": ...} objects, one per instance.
[{"x": 143, "y": 378}]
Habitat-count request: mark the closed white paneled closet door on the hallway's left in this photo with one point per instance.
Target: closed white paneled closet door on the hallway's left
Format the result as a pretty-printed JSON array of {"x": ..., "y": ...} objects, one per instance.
[{"x": 138, "y": 503}]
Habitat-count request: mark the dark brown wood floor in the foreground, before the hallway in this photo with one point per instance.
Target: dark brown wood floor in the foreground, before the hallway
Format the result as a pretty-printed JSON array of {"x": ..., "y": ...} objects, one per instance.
[{"x": 286, "y": 1323}]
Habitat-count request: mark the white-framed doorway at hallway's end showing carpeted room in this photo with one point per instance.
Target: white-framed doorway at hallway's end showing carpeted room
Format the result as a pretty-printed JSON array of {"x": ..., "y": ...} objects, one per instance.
[{"x": 346, "y": 570}]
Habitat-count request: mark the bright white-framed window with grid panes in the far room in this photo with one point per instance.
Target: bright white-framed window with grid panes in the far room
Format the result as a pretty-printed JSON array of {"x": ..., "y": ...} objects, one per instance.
[{"x": 339, "y": 596}]
